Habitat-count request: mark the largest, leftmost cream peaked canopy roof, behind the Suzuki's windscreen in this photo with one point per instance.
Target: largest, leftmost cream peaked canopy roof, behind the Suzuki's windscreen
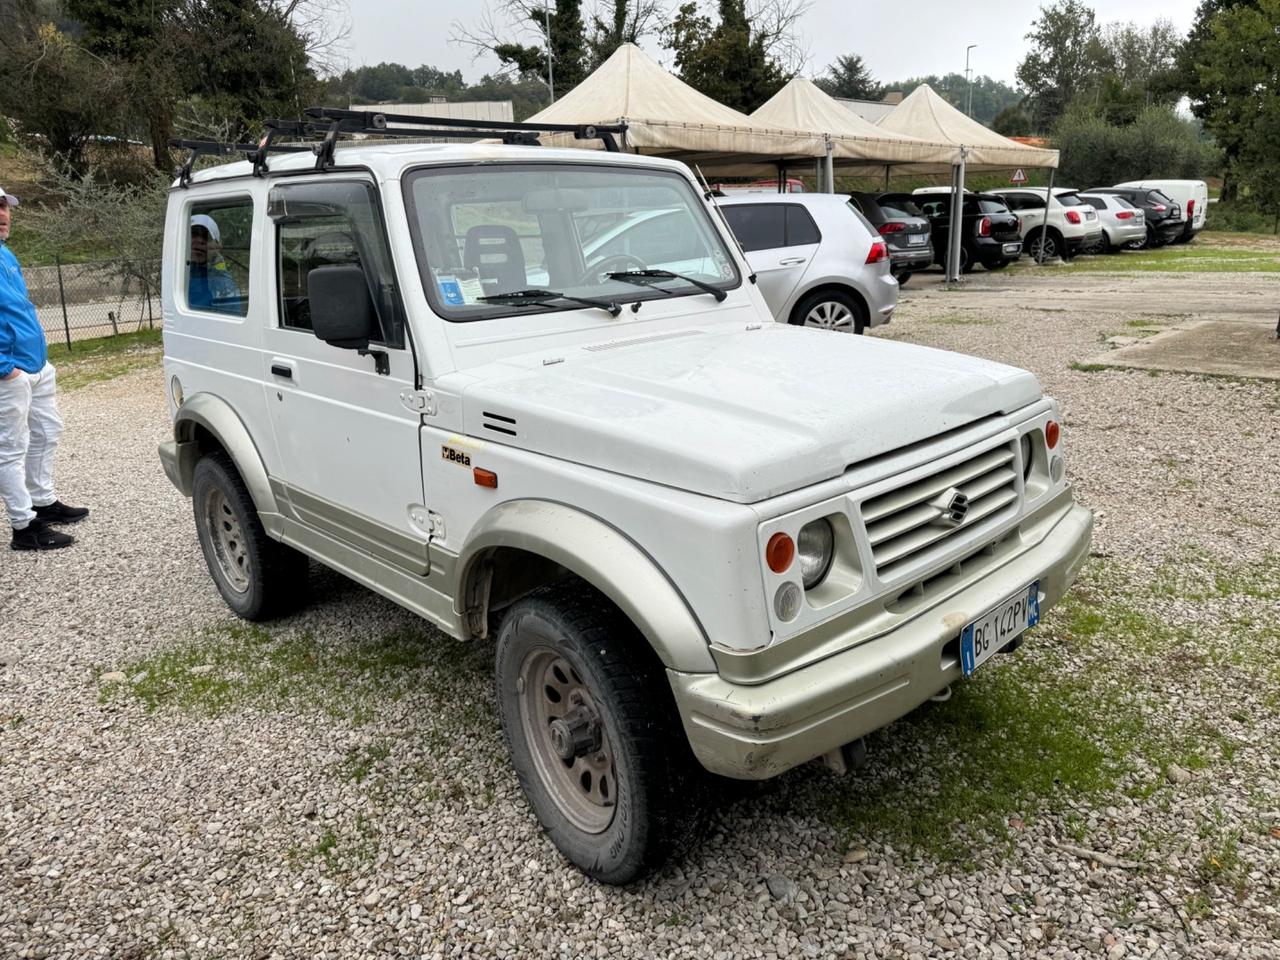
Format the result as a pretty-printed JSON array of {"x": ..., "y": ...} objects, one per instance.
[{"x": 666, "y": 117}]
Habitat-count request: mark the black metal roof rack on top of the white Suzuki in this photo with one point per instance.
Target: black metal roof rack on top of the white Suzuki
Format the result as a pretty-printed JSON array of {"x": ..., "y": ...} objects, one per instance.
[{"x": 331, "y": 124}]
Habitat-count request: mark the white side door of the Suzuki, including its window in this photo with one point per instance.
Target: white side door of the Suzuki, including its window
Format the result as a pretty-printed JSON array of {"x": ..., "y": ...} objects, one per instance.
[{"x": 346, "y": 444}]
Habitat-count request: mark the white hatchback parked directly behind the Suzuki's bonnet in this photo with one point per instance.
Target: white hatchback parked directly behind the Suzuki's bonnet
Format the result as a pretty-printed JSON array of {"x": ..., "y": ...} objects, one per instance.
[{"x": 819, "y": 262}]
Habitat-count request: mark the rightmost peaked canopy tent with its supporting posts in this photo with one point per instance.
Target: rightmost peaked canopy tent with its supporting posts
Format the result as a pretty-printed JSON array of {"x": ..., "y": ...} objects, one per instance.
[{"x": 927, "y": 116}]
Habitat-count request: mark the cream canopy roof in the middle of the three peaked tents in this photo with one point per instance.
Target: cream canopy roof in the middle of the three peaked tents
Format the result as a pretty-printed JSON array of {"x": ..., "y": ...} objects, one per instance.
[{"x": 802, "y": 106}]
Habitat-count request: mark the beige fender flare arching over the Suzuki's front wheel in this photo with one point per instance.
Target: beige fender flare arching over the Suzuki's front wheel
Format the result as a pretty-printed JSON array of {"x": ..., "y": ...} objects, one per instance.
[{"x": 604, "y": 557}]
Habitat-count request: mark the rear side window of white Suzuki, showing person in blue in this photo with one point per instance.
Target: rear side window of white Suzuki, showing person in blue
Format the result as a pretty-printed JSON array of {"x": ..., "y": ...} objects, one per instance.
[{"x": 220, "y": 244}]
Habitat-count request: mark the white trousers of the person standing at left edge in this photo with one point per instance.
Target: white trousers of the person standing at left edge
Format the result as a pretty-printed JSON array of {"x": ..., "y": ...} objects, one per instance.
[{"x": 30, "y": 428}]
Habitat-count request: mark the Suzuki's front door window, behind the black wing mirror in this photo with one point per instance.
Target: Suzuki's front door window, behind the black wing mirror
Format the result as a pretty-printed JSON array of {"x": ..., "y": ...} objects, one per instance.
[{"x": 328, "y": 225}]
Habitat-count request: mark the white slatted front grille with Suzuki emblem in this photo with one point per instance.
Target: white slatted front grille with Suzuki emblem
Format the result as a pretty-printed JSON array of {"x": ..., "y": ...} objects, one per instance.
[{"x": 911, "y": 527}]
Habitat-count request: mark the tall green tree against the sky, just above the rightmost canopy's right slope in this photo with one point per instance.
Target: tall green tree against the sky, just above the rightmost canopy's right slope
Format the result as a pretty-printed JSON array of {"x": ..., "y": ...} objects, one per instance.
[{"x": 1066, "y": 62}]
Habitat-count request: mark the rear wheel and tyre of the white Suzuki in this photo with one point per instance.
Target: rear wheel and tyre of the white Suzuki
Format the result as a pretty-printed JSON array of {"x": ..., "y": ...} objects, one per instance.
[{"x": 273, "y": 577}]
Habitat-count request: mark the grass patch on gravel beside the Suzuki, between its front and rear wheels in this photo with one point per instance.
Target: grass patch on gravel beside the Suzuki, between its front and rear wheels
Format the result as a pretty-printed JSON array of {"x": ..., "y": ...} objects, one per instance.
[{"x": 241, "y": 665}]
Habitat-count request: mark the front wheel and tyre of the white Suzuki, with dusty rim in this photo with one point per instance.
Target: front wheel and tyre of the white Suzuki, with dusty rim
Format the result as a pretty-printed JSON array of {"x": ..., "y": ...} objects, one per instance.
[{"x": 659, "y": 789}]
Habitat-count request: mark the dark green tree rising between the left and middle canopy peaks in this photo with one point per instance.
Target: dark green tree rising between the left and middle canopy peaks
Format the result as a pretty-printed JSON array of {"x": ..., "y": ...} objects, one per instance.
[{"x": 732, "y": 60}]
